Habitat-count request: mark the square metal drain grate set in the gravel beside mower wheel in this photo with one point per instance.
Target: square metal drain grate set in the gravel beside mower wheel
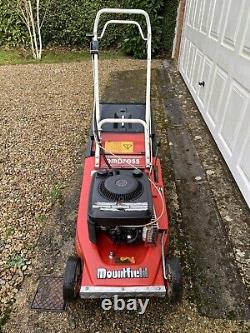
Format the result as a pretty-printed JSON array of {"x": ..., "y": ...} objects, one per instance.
[{"x": 49, "y": 294}]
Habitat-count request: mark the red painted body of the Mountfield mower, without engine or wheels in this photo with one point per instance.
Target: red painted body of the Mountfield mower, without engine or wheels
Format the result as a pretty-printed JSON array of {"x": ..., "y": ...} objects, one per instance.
[{"x": 95, "y": 256}]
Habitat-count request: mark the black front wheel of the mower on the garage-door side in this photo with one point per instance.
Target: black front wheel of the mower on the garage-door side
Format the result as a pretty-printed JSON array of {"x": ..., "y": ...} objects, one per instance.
[{"x": 175, "y": 283}]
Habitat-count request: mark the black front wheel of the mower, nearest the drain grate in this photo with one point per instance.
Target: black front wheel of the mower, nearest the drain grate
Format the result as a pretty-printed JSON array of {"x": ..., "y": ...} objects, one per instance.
[{"x": 72, "y": 279}]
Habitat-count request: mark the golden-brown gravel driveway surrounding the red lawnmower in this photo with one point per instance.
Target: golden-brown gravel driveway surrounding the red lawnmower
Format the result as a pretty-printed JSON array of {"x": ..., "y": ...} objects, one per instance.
[{"x": 45, "y": 113}]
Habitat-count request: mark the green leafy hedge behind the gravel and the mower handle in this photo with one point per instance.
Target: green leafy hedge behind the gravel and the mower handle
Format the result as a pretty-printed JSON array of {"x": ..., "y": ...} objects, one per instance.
[{"x": 68, "y": 21}]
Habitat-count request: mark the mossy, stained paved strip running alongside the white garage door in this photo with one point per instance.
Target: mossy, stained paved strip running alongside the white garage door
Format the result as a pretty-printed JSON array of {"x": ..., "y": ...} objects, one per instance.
[{"x": 219, "y": 289}]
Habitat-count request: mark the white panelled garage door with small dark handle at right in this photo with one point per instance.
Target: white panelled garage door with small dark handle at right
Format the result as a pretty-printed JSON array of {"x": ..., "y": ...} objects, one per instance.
[{"x": 215, "y": 52}]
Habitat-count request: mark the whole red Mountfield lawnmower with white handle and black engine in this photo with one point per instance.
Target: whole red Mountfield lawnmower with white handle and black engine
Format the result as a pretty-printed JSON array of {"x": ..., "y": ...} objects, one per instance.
[{"x": 122, "y": 227}]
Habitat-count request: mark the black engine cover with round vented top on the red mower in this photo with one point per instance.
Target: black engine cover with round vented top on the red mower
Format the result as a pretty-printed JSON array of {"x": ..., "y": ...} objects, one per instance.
[{"x": 120, "y": 197}]
